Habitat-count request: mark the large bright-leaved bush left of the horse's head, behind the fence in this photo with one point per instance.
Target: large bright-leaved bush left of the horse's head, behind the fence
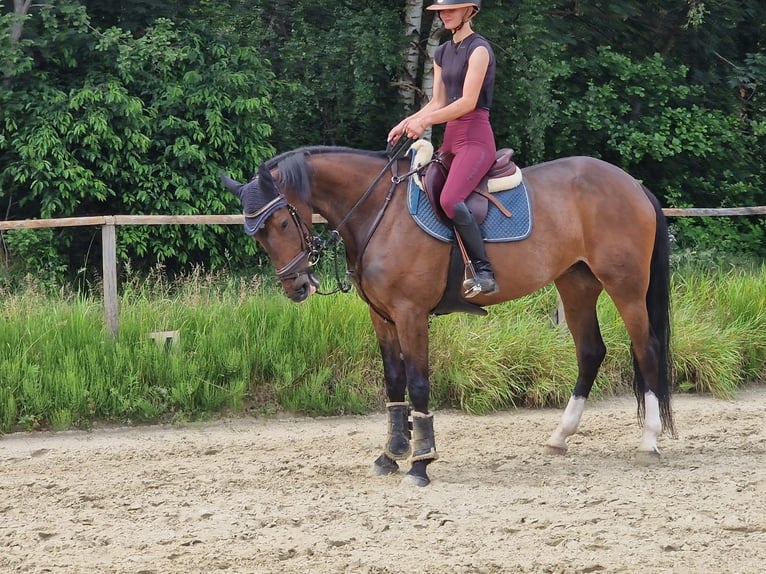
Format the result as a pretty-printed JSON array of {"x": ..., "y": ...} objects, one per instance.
[{"x": 108, "y": 123}]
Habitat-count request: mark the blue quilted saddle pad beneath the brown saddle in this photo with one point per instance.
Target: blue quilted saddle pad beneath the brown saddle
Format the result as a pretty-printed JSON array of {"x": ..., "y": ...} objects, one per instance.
[{"x": 497, "y": 228}]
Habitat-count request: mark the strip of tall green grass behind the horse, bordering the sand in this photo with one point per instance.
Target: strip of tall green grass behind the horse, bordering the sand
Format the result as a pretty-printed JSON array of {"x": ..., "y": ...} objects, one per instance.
[{"x": 243, "y": 347}]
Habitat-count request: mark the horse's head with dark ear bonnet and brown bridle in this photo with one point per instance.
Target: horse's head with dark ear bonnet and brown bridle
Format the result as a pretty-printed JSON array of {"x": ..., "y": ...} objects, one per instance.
[{"x": 279, "y": 228}]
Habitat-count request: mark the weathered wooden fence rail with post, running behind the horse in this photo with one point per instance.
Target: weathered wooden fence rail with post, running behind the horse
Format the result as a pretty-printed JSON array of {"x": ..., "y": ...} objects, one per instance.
[{"x": 109, "y": 223}]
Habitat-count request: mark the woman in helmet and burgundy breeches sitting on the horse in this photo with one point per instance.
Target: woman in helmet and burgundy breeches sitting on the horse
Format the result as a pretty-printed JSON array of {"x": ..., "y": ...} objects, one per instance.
[{"x": 464, "y": 81}]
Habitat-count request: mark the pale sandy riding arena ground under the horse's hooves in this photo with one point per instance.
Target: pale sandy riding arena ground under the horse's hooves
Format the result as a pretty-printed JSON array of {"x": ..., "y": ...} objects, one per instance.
[{"x": 297, "y": 495}]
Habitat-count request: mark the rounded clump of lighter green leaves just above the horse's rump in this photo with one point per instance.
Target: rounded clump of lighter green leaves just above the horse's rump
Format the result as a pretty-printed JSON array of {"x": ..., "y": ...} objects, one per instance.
[{"x": 625, "y": 121}]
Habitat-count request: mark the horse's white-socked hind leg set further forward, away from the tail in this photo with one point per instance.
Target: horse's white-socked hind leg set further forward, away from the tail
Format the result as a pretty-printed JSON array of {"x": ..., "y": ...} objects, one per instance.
[{"x": 579, "y": 291}]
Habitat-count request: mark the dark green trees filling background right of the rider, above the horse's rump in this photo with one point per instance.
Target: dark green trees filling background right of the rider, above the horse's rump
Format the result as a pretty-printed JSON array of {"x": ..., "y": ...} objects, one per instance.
[{"x": 667, "y": 90}]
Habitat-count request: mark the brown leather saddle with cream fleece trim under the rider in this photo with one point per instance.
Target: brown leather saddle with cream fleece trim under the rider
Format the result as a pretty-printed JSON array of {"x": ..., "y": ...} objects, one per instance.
[{"x": 501, "y": 176}]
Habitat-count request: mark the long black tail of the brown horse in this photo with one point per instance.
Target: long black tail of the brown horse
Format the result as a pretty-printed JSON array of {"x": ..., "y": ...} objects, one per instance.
[{"x": 658, "y": 307}]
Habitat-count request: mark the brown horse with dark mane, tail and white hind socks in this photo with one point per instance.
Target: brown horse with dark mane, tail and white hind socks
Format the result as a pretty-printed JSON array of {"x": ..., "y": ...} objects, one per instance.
[{"x": 595, "y": 229}]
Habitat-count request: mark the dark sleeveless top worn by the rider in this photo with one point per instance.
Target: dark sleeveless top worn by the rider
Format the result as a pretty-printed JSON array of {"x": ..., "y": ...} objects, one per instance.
[{"x": 453, "y": 58}]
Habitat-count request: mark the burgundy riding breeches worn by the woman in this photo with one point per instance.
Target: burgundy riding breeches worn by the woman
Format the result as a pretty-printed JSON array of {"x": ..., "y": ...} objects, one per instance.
[{"x": 471, "y": 140}]
